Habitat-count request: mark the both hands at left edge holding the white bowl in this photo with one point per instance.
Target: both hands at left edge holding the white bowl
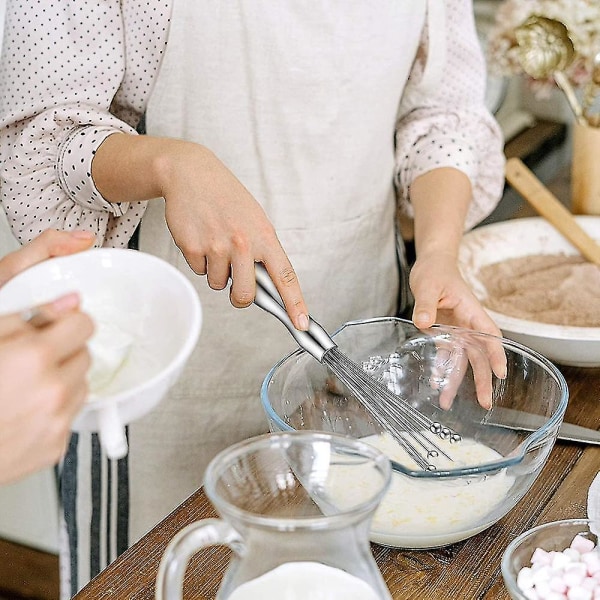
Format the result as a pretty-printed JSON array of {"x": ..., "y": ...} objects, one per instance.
[{"x": 43, "y": 364}]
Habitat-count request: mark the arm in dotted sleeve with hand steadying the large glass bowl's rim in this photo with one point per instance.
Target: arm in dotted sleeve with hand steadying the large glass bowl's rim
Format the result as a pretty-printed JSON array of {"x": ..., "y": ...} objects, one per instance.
[{"x": 450, "y": 167}]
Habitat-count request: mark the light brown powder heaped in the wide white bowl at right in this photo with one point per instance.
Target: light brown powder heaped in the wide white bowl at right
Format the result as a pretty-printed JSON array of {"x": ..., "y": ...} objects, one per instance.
[{"x": 551, "y": 288}]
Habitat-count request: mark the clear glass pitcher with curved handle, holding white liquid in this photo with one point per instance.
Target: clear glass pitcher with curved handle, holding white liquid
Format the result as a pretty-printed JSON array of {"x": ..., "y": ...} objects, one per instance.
[{"x": 295, "y": 509}]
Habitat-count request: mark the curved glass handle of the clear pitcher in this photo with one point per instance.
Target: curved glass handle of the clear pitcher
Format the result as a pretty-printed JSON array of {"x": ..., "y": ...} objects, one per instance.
[{"x": 198, "y": 535}]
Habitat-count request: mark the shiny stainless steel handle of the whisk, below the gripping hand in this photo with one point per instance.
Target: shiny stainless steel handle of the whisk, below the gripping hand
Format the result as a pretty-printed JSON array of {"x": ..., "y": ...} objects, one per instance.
[{"x": 316, "y": 341}]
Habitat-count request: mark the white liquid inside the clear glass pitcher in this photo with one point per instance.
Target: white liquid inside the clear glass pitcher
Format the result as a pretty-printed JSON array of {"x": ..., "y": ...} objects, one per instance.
[{"x": 305, "y": 581}]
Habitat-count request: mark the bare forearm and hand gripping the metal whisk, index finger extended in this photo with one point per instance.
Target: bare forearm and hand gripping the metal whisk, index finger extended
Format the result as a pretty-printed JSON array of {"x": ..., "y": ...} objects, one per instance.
[{"x": 221, "y": 229}]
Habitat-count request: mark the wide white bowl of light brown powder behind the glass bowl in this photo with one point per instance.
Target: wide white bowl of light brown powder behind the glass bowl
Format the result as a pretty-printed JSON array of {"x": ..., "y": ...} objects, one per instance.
[{"x": 537, "y": 287}]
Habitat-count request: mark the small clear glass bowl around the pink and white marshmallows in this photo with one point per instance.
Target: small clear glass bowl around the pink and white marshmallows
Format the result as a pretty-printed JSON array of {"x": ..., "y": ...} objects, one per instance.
[{"x": 553, "y": 536}]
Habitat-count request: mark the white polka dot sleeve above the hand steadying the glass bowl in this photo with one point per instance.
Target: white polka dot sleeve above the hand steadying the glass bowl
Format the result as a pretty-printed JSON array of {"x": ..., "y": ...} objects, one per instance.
[{"x": 445, "y": 123}]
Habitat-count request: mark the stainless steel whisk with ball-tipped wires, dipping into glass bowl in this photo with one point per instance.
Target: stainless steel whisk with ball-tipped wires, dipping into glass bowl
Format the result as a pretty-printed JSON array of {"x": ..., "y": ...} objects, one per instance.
[{"x": 393, "y": 413}]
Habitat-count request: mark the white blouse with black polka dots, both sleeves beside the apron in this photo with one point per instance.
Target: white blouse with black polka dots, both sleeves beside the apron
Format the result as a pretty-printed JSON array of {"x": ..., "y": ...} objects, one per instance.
[{"x": 73, "y": 72}]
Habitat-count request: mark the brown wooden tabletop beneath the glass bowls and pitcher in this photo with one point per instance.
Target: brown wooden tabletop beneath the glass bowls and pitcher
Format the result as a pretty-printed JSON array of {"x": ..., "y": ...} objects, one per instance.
[{"x": 468, "y": 570}]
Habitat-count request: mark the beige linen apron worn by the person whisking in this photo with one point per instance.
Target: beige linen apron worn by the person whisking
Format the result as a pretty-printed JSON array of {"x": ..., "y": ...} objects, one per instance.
[{"x": 300, "y": 101}]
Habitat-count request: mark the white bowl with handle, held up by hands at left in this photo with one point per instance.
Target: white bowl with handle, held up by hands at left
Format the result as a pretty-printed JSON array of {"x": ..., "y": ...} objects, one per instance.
[{"x": 137, "y": 296}]
